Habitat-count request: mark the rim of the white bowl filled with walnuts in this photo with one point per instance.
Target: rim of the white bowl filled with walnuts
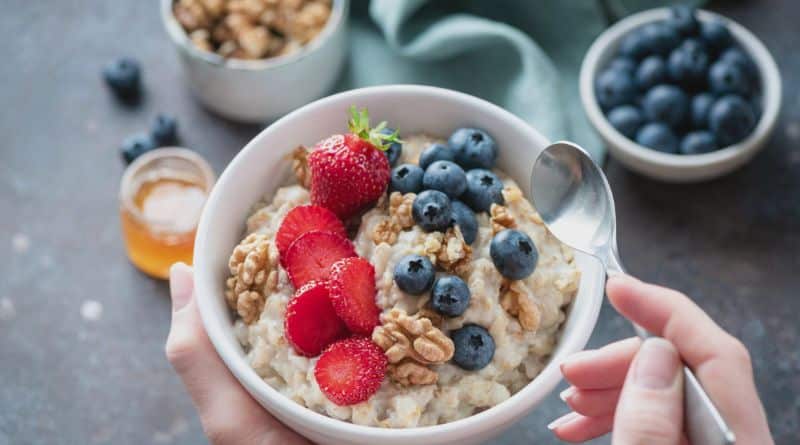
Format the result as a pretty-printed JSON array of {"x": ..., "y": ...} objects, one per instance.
[{"x": 339, "y": 10}]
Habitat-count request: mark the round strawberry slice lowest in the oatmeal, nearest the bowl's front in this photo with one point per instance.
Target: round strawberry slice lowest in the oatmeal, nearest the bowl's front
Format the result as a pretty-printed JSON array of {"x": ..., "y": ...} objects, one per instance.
[{"x": 350, "y": 371}]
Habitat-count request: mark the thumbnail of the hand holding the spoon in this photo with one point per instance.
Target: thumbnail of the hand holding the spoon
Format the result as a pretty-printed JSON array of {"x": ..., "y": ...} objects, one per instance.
[{"x": 657, "y": 364}]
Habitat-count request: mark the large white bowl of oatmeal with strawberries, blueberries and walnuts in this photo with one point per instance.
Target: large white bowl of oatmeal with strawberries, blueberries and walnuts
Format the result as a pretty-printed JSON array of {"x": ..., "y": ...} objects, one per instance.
[{"x": 419, "y": 364}]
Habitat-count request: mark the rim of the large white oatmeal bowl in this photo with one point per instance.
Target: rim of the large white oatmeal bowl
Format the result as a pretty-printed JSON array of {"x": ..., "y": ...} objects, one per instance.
[{"x": 536, "y": 389}]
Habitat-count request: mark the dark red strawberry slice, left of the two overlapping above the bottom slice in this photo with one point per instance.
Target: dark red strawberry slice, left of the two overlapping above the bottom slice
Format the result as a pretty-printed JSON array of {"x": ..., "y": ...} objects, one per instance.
[{"x": 311, "y": 324}]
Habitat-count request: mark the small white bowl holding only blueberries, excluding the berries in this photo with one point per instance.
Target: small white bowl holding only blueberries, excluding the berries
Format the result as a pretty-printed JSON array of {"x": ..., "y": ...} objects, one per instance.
[{"x": 673, "y": 167}]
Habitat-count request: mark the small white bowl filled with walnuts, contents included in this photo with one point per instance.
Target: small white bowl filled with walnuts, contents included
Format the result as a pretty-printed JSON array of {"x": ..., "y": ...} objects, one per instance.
[{"x": 256, "y": 60}]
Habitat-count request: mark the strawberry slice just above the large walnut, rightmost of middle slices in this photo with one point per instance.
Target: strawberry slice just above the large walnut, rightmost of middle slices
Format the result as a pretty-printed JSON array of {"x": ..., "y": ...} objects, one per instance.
[{"x": 352, "y": 292}]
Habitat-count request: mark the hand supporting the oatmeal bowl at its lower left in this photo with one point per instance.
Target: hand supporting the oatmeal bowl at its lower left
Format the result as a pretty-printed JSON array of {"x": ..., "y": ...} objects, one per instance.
[{"x": 228, "y": 413}]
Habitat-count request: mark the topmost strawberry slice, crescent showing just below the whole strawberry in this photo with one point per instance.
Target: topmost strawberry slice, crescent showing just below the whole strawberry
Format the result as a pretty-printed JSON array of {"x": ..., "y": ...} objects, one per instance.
[{"x": 302, "y": 219}]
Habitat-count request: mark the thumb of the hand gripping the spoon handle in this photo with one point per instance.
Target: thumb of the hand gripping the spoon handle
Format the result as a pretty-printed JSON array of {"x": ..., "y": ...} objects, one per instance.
[{"x": 650, "y": 408}]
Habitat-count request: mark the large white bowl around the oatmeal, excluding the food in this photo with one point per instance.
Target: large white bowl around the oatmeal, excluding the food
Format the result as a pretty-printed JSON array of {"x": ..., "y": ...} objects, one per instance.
[{"x": 262, "y": 166}]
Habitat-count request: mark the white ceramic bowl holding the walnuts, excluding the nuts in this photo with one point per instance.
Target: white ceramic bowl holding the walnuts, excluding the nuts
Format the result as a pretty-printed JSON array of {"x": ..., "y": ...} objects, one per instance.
[{"x": 263, "y": 90}]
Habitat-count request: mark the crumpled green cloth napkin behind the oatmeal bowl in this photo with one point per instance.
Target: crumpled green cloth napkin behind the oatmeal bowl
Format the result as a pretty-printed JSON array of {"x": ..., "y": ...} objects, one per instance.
[{"x": 523, "y": 55}]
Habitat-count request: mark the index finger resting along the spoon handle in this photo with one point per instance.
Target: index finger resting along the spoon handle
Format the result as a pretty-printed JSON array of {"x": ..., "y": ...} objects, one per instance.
[{"x": 719, "y": 360}]
